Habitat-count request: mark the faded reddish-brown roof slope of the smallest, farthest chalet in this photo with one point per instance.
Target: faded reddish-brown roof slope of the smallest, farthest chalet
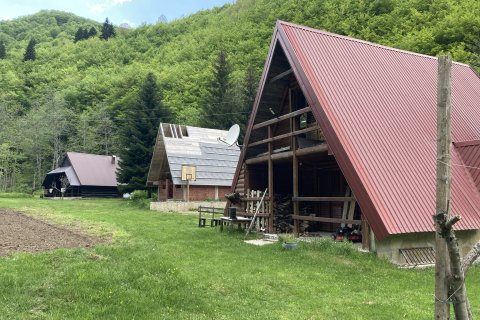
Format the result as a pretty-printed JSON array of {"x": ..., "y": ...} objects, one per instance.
[{"x": 93, "y": 169}]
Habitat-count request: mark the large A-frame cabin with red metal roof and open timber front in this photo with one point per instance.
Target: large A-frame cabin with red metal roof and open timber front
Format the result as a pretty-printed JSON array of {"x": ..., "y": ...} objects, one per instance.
[{"x": 343, "y": 132}]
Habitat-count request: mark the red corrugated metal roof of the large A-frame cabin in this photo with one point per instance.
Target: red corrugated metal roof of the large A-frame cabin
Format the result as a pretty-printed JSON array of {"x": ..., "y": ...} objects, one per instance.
[{"x": 377, "y": 108}]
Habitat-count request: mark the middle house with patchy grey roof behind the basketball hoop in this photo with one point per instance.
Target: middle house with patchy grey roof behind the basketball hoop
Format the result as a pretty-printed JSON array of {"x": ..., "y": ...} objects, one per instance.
[{"x": 179, "y": 145}]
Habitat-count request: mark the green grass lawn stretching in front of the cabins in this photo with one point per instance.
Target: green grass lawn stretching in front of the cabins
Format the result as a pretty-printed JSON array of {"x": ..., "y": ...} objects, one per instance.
[{"x": 162, "y": 266}]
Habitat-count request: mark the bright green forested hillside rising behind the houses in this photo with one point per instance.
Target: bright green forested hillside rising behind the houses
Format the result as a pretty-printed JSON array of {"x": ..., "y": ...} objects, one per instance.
[{"x": 77, "y": 95}]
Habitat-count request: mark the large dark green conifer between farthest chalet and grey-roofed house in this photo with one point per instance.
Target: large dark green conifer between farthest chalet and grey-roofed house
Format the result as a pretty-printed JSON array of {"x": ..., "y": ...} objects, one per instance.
[{"x": 139, "y": 134}]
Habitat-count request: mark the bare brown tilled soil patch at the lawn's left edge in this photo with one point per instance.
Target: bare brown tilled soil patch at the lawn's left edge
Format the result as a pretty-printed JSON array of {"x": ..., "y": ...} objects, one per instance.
[{"x": 19, "y": 232}]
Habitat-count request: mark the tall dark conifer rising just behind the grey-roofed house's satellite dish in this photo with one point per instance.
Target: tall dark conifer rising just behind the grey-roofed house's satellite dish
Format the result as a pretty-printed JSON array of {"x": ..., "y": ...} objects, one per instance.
[{"x": 217, "y": 107}]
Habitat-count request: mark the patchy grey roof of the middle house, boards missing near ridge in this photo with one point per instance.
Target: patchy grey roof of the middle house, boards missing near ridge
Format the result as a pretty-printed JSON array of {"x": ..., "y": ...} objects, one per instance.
[{"x": 215, "y": 161}]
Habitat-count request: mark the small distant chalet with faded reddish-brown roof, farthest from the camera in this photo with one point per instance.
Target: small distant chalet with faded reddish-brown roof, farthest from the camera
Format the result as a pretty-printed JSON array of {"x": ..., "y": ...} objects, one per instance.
[{"x": 89, "y": 175}]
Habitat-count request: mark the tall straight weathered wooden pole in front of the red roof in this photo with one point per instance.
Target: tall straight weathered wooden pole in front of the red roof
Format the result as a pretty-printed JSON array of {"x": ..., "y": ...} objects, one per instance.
[{"x": 442, "y": 263}]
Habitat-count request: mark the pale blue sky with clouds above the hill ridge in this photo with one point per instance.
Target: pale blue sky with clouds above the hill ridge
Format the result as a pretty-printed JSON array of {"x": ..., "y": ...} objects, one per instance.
[{"x": 134, "y": 12}]
